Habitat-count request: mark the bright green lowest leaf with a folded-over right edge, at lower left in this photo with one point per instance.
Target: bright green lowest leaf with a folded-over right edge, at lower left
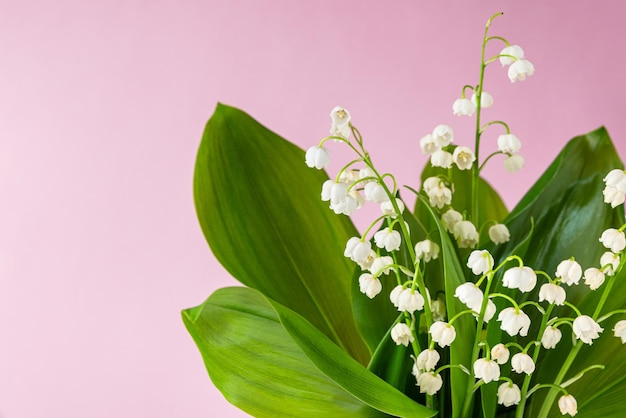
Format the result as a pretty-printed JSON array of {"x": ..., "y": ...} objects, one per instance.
[{"x": 266, "y": 369}]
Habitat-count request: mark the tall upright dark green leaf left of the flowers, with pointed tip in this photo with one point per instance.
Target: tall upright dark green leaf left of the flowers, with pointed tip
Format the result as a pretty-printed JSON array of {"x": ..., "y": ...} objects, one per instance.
[{"x": 259, "y": 208}]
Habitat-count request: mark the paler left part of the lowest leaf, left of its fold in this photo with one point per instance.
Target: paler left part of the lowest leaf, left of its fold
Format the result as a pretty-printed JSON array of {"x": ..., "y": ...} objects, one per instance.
[{"x": 256, "y": 364}]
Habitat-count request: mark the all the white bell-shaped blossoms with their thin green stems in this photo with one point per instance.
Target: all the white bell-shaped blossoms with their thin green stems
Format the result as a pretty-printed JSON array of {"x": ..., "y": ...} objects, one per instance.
[{"x": 378, "y": 256}]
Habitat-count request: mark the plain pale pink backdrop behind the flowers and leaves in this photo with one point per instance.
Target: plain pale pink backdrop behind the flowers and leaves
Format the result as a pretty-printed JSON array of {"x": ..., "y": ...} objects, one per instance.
[{"x": 102, "y": 107}]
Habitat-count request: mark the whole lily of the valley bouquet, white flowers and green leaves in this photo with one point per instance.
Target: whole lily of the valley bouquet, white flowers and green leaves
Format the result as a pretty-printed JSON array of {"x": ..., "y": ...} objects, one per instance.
[{"x": 455, "y": 307}]
